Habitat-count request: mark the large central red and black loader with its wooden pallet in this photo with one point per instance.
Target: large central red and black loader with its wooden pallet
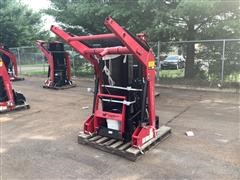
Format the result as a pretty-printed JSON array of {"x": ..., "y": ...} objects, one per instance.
[{"x": 123, "y": 119}]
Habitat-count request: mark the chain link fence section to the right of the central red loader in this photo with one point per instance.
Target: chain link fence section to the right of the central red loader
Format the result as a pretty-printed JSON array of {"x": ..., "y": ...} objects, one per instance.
[{"x": 216, "y": 62}]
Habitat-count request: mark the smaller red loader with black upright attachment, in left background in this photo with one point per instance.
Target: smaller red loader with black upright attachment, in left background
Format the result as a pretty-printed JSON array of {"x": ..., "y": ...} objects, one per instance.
[{"x": 59, "y": 72}]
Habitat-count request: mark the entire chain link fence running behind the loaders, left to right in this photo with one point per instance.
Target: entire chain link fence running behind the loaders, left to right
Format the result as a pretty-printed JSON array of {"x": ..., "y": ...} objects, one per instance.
[{"x": 216, "y": 62}]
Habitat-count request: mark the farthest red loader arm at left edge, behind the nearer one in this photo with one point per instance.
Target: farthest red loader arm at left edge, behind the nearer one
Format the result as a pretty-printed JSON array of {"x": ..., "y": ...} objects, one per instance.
[{"x": 10, "y": 62}]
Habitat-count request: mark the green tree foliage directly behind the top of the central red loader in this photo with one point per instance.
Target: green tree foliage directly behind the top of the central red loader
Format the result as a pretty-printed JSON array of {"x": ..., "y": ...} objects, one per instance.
[{"x": 87, "y": 16}]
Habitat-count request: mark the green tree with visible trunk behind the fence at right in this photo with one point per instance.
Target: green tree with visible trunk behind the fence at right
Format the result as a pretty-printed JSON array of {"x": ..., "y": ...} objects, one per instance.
[{"x": 192, "y": 20}]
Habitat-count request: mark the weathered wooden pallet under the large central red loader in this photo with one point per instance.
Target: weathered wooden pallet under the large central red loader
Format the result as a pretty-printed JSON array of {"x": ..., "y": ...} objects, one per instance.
[{"x": 119, "y": 147}]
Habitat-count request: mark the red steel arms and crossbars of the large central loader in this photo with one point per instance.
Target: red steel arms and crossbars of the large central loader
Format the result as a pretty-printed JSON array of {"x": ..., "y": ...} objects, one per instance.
[{"x": 143, "y": 133}]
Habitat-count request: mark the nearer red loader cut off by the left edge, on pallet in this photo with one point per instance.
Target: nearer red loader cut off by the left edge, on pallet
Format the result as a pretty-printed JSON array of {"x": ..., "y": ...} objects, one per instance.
[{"x": 9, "y": 99}]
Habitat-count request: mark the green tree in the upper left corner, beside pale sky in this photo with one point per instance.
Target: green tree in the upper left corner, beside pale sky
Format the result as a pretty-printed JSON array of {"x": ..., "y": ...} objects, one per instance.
[{"x": 19, "y": 25}]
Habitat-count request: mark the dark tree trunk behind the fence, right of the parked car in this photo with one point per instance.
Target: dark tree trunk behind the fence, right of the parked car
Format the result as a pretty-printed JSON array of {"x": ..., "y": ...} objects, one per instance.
[{"x": 190, "y": 54}]
